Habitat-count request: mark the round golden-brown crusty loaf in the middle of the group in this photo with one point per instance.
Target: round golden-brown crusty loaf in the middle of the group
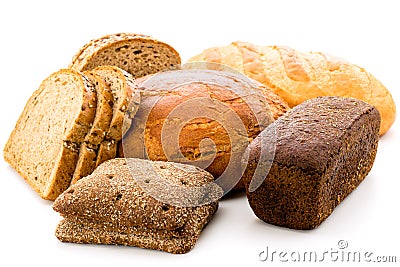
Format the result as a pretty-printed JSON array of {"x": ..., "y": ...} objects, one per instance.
[{"x": 177, "y": 118}]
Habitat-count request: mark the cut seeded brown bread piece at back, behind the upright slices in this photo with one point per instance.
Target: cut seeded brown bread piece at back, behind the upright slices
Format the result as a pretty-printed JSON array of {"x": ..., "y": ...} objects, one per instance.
[{"x": 138, "y": 54}]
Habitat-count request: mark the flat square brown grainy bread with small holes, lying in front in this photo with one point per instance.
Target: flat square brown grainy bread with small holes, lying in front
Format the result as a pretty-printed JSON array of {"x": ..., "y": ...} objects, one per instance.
[{"x": 112, "y": 206}]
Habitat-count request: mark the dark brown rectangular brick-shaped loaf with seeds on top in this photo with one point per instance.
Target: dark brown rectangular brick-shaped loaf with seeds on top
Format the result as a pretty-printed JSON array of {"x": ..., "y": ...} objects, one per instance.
[{"x": 325, "y": 147}]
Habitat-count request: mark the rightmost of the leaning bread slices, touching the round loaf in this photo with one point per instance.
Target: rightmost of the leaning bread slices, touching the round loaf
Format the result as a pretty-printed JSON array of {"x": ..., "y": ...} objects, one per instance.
[{"x": 126, "y": 103}]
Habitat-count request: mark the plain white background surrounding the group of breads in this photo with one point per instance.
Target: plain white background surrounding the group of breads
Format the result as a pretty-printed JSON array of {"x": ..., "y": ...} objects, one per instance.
[{"x": 38, "y": 38}]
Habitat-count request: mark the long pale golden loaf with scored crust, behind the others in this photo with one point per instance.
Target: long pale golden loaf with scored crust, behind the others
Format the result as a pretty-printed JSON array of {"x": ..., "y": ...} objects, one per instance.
[{"x": 297, "y": 76}]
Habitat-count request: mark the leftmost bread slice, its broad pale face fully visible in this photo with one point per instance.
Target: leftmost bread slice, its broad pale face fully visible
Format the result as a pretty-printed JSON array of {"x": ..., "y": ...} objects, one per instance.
[{"x": 43, "y": 147}]
